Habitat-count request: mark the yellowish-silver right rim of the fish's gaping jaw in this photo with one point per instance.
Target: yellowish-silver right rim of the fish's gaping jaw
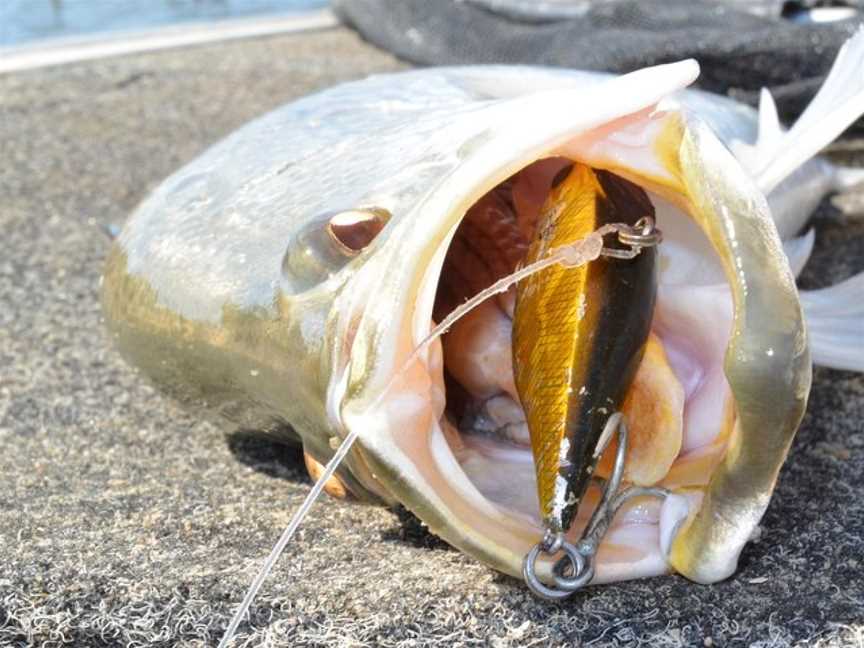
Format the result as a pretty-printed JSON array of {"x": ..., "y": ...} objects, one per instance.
[{"x": 767, "y": 364}]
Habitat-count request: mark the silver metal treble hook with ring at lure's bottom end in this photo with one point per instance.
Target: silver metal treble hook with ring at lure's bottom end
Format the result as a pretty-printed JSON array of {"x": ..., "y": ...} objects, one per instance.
[{"x": 575, "y": 568}]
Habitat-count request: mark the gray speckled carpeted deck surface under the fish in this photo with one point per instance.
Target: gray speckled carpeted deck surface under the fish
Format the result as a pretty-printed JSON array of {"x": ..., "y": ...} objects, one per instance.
[{"x": 126, "y": 522}]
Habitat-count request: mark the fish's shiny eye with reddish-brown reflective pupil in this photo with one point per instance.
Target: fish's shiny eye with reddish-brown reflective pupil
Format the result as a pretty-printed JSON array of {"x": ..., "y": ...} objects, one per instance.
[{"x": 325, "y": 245}]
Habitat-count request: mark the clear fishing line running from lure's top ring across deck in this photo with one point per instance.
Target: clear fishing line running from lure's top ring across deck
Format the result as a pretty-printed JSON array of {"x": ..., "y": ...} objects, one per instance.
[{"x": 572, "y": 255}]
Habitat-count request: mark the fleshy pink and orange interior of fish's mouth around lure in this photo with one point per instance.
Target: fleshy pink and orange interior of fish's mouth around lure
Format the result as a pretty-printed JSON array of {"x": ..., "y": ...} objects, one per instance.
[{"x": 679, "y": 408}]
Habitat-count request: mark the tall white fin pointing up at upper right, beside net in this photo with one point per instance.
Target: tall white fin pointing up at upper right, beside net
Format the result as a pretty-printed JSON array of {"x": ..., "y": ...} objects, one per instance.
[{"x": 839, "y": 102}]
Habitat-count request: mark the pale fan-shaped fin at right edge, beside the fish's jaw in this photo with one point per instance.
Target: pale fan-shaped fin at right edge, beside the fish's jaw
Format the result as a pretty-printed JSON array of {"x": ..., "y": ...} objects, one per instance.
[{"x": 835, "y": 320}]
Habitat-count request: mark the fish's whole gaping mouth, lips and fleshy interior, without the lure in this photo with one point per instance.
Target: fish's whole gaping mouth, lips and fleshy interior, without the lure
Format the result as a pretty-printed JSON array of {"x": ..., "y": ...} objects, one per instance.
[{"x": 444, "y": 431}]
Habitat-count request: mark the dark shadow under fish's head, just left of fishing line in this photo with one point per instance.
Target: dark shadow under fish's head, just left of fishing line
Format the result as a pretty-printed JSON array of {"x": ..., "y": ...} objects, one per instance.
[{"x": 268, "y": 456}]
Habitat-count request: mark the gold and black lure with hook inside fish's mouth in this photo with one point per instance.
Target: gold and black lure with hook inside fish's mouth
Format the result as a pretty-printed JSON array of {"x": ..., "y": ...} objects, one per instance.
[{"x": 578, "y": 338}]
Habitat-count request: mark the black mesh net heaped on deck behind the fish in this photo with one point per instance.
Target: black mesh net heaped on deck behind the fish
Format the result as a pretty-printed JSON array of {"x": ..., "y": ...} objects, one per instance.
[{"x": 742, "y": 45}]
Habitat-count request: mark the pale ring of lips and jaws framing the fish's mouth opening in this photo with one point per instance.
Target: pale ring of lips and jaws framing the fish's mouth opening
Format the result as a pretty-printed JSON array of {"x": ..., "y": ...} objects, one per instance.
[{"x": 395, "y": 396}]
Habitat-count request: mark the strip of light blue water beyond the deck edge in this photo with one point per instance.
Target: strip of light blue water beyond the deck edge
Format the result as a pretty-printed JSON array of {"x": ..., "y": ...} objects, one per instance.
[{"x": 25, "y": 21}]
